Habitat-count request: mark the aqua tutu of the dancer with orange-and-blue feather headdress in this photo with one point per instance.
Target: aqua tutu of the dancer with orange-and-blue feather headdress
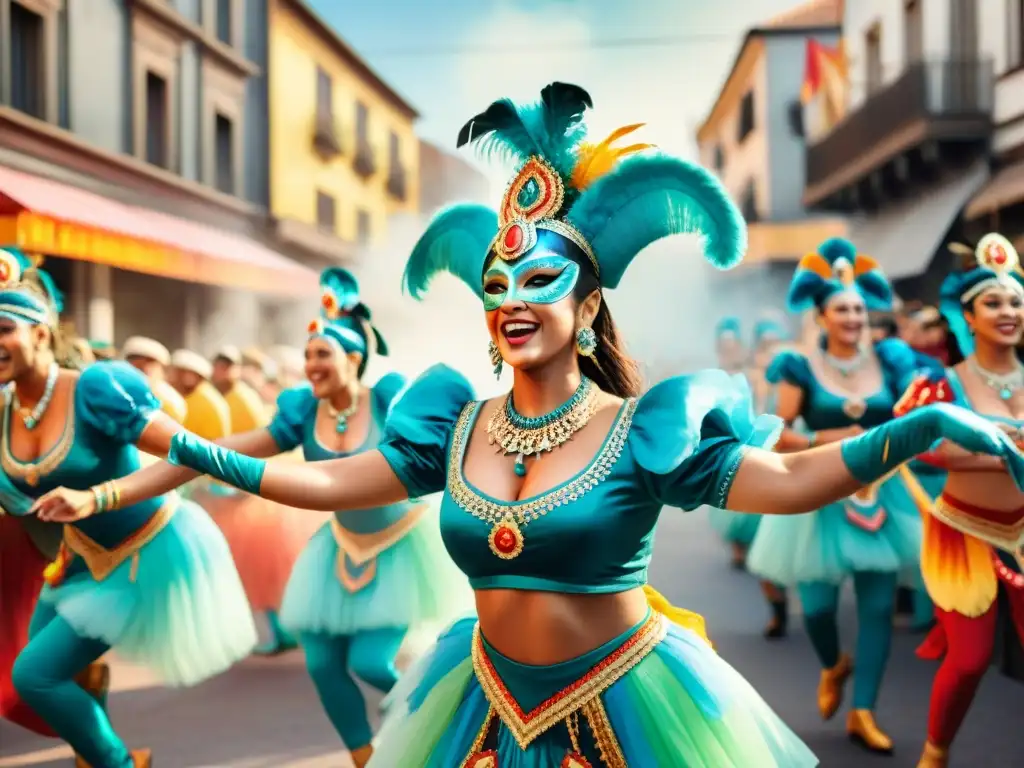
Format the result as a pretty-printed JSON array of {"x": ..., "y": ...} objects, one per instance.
[{"x": 881, "y": 534}]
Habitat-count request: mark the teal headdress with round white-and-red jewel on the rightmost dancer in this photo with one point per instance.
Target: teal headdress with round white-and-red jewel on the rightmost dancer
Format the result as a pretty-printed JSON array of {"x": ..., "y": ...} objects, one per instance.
[{"x": 996, "y": 265}]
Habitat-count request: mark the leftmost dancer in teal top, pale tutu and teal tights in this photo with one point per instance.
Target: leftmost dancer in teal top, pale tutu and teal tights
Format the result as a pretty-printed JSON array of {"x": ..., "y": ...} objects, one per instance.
[{"x": 153, "y": 580}]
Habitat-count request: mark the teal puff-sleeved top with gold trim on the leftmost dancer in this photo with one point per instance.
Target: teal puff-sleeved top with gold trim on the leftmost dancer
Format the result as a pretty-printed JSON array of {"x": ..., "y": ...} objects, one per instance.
[{"x": 111, "y": 408}]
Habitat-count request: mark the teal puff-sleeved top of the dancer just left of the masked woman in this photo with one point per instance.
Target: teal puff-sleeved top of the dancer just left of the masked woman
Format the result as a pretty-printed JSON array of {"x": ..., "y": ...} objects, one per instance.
[{"x": 294, "y": 424}]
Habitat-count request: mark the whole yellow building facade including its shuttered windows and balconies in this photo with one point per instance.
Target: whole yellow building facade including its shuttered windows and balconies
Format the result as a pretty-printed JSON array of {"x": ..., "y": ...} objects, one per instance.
[{"x": 345, "y": 157}]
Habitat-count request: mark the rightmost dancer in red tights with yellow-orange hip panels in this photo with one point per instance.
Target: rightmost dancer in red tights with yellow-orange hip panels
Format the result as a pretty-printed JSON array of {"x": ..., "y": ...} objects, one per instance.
[{"x": 974, "y": 532}]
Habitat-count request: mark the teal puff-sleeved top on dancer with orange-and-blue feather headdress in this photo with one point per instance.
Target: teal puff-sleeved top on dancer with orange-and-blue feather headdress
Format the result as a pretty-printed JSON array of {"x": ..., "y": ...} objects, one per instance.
[{"x": 826, "y": 409}]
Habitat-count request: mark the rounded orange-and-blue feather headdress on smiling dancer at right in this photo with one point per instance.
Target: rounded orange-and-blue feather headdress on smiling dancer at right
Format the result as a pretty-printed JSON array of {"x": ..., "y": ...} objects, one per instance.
[{"x": 837, "y": 268}]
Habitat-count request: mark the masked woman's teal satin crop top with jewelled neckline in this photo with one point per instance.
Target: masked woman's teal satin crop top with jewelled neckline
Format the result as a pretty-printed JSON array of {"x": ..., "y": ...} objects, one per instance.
[{"x": 680, "y": 446}]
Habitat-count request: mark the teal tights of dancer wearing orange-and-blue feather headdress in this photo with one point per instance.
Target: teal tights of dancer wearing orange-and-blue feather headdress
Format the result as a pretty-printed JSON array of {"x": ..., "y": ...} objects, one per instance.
[{"x": 876, "y": 594}]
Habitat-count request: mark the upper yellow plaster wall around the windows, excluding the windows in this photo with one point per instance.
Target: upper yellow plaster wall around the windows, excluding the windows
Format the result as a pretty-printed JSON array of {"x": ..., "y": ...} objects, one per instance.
[{"x": 297, "y": 173}]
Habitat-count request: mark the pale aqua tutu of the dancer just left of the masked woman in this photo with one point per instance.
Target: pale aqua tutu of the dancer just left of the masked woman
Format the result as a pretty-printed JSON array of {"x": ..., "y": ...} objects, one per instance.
[{"x": 415, "y": 583}]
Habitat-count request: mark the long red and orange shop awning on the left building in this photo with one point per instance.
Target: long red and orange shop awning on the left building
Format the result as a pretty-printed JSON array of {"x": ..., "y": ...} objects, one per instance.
[{"x": 45, "y": 217}]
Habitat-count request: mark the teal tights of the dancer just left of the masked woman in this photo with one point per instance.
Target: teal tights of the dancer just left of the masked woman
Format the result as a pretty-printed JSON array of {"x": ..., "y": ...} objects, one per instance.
[{"x": 335, "y": 661}]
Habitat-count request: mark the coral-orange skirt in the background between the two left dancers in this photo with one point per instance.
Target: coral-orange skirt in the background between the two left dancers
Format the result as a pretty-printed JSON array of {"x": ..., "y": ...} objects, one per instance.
[{"x": 266, "y": 539}]
